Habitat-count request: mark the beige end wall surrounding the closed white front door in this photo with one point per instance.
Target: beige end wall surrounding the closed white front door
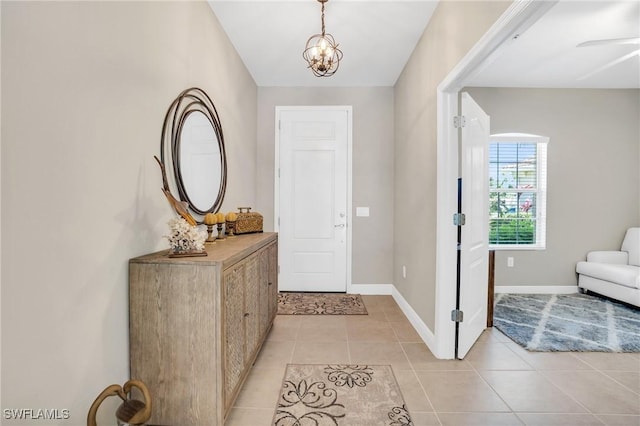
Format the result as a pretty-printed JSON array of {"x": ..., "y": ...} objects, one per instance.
[{"x": 372, "y": 168}]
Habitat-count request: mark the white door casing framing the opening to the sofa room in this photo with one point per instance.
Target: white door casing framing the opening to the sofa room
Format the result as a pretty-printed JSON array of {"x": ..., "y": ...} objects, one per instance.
[{"x": 518, "y": 17}]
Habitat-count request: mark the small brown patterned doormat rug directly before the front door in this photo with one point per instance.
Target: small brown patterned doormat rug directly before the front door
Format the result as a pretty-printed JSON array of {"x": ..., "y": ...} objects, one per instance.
[{"x": 320, "y": 304}]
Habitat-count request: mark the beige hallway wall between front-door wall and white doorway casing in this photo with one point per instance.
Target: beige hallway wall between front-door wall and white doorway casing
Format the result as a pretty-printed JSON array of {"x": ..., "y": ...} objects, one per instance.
[{"x": 454, "y": 28}]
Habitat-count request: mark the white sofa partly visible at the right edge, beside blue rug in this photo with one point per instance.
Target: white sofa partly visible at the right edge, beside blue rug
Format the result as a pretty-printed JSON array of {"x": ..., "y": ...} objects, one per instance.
[{"x": 614, "y": 274}]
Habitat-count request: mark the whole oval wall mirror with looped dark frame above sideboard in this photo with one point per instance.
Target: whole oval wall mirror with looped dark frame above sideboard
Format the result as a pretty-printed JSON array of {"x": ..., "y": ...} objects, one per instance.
[{"x": 192, "y": 150}]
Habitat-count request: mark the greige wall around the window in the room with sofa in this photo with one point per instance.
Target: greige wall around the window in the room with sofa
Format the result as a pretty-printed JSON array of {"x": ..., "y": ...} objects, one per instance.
[{"x": 593, "y": 173}]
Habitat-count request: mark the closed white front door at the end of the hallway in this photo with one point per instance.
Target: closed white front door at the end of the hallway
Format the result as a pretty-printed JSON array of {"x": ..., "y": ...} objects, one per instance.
[{"x": 312, "y": 205}]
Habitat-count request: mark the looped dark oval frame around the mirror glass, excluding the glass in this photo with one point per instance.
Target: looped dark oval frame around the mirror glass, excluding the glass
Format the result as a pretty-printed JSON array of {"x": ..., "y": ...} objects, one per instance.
[{"x": 190, "y": 100}]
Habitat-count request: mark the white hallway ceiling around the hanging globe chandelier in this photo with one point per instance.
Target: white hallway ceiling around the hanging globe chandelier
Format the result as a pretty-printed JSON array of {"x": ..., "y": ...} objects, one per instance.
[{"x": 376, "y": 37}]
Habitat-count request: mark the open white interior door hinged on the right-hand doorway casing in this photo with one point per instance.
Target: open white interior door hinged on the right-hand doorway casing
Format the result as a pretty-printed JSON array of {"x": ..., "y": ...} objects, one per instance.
[{"x": 474, "y": 247}]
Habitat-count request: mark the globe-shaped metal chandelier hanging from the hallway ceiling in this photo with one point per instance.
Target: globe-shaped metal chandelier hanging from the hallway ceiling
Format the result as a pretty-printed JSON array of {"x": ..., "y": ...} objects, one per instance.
[{"x": 321, "y": 52}]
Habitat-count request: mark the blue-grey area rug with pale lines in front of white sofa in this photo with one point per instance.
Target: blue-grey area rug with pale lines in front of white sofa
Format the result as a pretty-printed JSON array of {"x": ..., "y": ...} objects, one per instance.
[{"x": 568, "y": 322}]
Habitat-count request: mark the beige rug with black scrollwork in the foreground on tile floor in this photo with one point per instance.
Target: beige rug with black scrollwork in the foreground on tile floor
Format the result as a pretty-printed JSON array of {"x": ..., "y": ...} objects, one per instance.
[{"x": 331, "y": 395}]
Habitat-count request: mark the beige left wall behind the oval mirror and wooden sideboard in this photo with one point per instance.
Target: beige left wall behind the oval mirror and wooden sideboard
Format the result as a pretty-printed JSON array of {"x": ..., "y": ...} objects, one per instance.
[{"x": 86, "y": 86}]
